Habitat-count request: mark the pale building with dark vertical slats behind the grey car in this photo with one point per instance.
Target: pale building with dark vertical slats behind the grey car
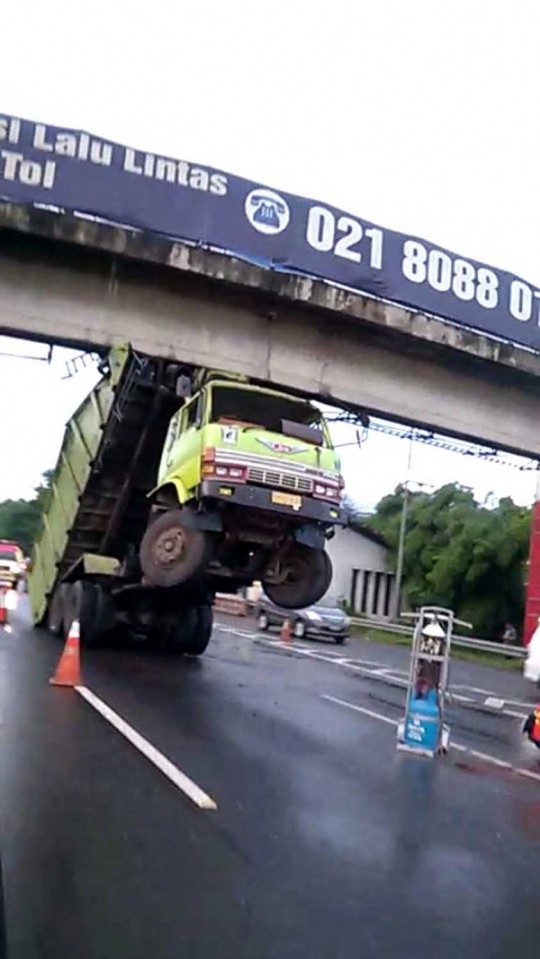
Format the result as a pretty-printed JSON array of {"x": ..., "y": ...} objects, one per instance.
[{"x": 362, "y": 572}]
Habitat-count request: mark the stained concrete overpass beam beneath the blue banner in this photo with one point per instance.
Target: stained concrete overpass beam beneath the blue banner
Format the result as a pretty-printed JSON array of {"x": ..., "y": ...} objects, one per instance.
[{"x": 76, "y": 281}]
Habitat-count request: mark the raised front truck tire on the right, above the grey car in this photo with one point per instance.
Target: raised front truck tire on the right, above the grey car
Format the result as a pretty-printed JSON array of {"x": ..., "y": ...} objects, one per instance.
[{"x": 308, "y": 578}]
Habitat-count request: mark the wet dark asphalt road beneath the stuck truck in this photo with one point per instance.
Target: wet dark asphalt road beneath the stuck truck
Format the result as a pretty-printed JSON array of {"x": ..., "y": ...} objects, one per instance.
[{"x": 326, "y": 841}]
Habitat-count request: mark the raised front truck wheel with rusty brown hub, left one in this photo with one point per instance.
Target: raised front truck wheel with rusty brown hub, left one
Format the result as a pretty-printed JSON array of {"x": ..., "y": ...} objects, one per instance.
[{"x": 170, "y": 553}]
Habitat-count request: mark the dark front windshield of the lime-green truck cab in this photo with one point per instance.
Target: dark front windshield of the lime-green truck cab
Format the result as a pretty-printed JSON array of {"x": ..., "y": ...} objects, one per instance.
[{"x": 262, "y": 410}]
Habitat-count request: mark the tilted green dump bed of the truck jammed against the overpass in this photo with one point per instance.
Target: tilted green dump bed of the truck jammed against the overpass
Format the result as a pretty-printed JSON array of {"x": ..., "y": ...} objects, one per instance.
[{"x": 107, "y": 463}]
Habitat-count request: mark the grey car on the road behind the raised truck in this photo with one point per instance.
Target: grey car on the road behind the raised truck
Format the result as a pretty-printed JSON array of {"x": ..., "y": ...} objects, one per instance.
[{"x": 325, "y": 619}]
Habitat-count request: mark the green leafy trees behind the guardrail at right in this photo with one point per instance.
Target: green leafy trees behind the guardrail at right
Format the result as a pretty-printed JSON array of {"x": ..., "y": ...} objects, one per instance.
[{"x": 460, "y": 554}]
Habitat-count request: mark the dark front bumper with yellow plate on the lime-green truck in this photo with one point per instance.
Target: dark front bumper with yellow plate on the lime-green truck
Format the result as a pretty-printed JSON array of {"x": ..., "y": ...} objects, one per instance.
[{"x": 258, "y": 497}]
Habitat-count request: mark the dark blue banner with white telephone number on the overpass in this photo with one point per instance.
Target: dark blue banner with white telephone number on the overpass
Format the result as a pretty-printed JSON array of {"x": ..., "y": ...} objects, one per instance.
[{"x": 77, "y": 171}]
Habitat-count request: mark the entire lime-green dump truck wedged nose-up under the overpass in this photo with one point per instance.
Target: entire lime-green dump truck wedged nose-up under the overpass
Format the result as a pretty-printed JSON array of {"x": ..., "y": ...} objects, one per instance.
[{"x": 173, "y": 484}]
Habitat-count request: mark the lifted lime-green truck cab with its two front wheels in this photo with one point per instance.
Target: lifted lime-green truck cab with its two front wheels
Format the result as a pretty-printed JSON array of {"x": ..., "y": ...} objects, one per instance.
[{"x": 250, "y": 482}]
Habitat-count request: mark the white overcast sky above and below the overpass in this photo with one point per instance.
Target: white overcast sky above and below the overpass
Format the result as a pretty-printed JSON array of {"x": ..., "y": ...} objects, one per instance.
[{"x": 418, "y": 115}]
